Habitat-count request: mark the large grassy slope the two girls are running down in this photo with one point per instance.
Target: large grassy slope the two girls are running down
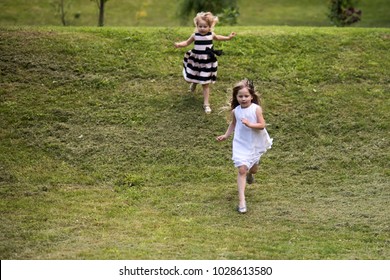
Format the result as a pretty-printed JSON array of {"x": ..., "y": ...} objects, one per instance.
[{"x": 105, "y": 155}]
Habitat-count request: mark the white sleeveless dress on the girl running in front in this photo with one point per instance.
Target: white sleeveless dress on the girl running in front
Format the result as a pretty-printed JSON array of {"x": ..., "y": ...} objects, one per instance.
[{"x": 248, "y": 144}]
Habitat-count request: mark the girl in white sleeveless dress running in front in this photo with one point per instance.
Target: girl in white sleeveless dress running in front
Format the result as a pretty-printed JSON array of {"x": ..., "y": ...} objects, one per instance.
[{"x": 251, "y": 139}]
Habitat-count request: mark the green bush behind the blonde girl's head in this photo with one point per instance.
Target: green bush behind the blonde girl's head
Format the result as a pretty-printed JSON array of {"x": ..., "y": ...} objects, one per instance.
[{"x": 222, "y": 8}]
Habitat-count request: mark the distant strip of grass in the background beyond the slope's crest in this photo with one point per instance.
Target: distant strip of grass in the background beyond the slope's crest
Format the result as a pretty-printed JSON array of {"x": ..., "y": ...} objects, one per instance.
[{"x": 164, "y": 13}]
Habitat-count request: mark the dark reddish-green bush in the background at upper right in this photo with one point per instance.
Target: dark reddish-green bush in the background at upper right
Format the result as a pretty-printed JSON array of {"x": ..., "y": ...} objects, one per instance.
[{"x": 343, "y": 12}]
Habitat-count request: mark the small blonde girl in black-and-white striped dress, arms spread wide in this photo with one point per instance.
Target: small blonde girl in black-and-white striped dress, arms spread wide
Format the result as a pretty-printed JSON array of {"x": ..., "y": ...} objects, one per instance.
[{"x": 200, "y": 64}]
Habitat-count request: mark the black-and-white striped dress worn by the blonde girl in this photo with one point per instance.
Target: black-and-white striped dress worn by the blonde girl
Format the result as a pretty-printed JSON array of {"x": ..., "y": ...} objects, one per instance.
[{"x": 200, "y": 64}]
